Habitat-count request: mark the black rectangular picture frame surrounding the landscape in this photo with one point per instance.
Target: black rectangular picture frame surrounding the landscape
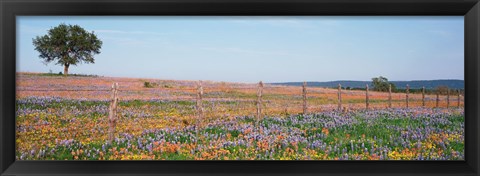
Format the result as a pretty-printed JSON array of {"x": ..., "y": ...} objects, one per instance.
[{"x": 9, "y": 9}]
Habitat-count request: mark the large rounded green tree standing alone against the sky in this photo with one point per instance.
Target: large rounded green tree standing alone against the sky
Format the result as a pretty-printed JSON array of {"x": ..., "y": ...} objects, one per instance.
[{"x": 67, "y": 45}]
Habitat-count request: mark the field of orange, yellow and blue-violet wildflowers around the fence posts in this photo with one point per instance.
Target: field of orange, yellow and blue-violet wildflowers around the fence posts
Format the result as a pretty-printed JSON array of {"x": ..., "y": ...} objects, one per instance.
[{"x": 66, "y": 118}]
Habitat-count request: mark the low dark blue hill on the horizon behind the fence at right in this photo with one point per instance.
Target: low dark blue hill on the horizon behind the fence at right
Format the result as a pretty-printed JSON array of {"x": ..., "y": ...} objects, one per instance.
[{"x": 429, "y": 84}]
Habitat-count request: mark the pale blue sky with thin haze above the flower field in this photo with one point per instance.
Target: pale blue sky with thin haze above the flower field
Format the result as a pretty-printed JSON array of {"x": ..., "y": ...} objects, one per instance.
[{"x": 272, "y": 49}]
